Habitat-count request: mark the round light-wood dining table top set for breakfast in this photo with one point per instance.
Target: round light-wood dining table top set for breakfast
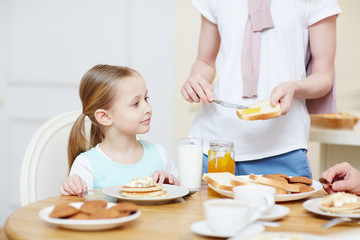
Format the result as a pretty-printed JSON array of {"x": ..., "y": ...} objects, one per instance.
[{"x": 162, "y": 221}]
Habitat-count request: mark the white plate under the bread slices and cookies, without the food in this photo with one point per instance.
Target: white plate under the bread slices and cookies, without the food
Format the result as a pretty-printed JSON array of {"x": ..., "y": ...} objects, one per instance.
[{"x": 278, "y": 197}]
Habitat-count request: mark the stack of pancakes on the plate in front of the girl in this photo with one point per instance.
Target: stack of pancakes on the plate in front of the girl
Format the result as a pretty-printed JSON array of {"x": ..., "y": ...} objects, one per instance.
[{"x": 142, "y": 188}]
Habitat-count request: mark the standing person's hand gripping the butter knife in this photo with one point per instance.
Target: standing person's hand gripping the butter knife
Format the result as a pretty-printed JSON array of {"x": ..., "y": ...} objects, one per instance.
[{"x": 197, "y": 88}]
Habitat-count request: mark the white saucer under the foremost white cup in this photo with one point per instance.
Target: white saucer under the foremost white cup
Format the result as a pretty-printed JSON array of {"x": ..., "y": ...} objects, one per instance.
[{"x": 202, "y": 229}]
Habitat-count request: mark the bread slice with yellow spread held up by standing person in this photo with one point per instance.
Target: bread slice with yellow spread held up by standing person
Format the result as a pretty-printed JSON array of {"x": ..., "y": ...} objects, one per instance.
[{"x": 259, "y": 111}]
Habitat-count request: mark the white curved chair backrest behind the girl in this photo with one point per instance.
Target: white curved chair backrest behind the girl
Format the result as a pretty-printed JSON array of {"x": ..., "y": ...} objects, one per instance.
[{"x": 44, "y": 165}]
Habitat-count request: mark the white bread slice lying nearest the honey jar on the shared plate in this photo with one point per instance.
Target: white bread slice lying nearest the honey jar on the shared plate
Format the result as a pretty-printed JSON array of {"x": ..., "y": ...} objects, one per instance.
[{"x": 224, "y": 180}]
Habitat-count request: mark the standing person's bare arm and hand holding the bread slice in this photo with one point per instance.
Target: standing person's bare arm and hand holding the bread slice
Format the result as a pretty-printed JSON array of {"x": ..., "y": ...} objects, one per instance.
[{"x": 319, "y": 82}]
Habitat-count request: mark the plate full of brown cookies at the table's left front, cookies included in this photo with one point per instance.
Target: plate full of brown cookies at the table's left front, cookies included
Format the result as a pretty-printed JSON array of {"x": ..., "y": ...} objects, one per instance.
[{"x": 90, "y": 215}]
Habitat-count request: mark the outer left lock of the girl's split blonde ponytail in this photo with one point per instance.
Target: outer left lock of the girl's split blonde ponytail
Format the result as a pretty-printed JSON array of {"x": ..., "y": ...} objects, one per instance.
[{"x": 78, "y": 142}]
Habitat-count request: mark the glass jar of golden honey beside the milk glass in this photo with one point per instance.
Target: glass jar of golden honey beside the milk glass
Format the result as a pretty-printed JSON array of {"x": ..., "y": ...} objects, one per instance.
[{"x": 221, "y": 157}]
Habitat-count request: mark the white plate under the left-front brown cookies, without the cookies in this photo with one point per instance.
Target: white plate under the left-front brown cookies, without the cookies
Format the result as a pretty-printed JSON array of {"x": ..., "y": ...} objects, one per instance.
[{"x": 86, "y": 224}]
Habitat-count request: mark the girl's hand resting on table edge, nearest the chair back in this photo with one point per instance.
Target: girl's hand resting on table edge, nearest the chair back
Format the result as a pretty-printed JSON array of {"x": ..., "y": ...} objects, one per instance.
[{"x": 73, "y": 185}]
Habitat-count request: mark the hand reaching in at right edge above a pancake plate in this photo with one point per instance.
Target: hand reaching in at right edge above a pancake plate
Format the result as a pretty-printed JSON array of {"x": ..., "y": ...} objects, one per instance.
[{"x": 343, "y": 178}]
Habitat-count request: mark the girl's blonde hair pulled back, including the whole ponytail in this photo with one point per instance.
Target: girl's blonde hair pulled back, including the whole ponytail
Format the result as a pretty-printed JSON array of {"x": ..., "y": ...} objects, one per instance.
[{"x": 96, "y": 92}]
